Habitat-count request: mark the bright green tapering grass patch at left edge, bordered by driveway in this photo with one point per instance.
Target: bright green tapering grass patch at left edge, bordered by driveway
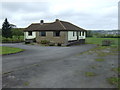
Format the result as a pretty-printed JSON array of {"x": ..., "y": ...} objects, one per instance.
[{"x": 9, "y": 50}]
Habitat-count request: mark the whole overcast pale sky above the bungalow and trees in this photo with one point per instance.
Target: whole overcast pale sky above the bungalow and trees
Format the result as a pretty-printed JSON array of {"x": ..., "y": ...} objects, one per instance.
[{"x": 88, "y": 14}]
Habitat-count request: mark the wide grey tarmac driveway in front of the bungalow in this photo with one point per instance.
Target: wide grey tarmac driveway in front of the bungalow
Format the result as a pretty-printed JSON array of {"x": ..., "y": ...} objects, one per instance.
[{"x": 50, "y": 67}]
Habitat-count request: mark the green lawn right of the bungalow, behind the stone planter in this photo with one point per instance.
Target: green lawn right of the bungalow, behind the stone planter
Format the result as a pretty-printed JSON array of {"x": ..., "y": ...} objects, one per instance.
[{"x": 95, "y": 40}]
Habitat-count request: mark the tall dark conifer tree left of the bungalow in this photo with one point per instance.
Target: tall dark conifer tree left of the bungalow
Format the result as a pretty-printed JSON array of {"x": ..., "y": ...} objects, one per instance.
[{"x": 6, "y": 29}]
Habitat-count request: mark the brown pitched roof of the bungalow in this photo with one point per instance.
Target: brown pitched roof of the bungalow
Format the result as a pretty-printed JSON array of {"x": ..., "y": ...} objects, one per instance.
[{"x": 54, "y": 26}]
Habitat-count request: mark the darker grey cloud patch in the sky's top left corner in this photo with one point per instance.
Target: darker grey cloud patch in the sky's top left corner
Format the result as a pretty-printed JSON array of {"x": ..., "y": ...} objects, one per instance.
[{"x": 25, "y": 6}]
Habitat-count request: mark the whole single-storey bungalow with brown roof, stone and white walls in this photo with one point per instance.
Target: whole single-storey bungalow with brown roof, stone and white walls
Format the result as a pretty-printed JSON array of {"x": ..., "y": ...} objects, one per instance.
[{"x": 61, "y": 32}]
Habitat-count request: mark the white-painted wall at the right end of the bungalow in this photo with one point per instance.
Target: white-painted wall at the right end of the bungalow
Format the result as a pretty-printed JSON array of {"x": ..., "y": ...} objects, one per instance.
[{"x": 71, "y": 37}]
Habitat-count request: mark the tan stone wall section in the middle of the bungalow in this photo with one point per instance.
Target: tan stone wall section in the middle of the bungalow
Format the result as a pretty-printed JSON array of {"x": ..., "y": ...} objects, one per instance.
[{"x": 49, "y": 36}]
